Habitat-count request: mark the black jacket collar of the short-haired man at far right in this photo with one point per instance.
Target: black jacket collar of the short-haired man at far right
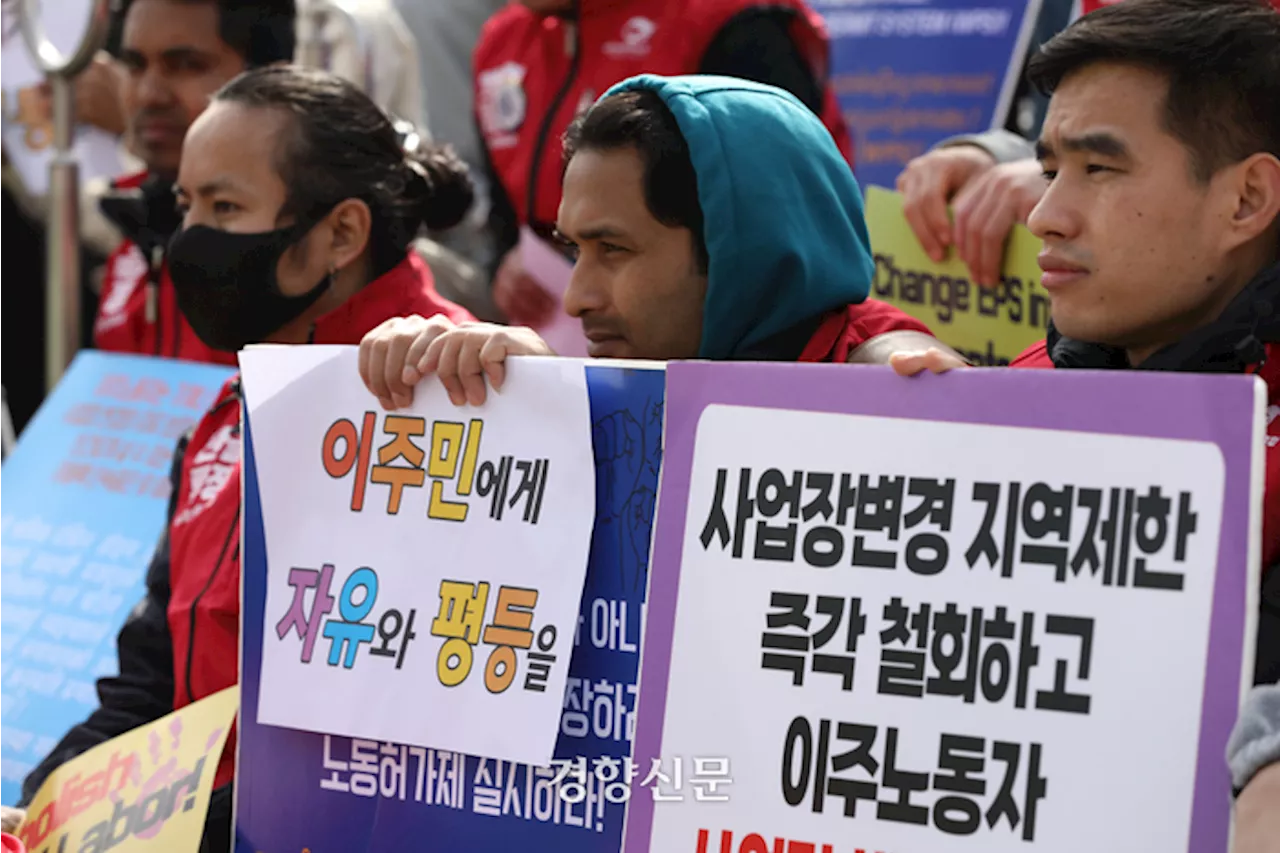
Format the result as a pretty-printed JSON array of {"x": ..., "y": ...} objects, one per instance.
[{"x": 1232, "y": 344}]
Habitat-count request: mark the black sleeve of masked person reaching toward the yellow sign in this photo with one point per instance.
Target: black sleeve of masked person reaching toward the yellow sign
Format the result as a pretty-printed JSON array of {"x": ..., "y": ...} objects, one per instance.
[{"x": 143, "y": 691}]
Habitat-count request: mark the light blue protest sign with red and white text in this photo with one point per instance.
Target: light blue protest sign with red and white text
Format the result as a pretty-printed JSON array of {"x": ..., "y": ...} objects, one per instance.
[{"x": 83, "y": 503}]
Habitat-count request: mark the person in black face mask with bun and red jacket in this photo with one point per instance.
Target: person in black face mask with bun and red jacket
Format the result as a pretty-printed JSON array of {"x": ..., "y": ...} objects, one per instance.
[{"x": 300, "y": 207}]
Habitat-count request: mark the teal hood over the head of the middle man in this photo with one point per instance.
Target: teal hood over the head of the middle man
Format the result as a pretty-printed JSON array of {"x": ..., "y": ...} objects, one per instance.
[{"x": 783, "y": 213}]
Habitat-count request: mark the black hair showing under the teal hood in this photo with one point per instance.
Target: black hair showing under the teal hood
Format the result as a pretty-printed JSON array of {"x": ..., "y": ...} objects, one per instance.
[{"x": 641, "y": 120}]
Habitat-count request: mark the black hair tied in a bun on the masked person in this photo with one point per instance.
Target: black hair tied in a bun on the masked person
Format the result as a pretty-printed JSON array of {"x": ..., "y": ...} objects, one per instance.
[{"x": 342, "y": 145}]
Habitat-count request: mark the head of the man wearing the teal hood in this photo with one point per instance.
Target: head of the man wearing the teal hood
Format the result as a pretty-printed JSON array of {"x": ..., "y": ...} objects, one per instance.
[{"x": 714, "y": 218}]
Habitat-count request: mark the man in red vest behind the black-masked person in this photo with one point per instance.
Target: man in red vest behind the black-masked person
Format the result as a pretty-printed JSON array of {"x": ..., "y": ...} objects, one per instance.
[{"x": 177, "y": 54}]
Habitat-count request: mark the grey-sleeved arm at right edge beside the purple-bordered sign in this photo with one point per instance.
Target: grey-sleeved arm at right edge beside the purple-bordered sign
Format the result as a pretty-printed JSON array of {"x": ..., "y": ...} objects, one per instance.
[{"x": 1255, "y": 759}]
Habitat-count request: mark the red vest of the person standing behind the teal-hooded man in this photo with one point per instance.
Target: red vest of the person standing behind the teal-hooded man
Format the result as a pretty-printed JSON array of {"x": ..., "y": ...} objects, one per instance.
[{"x": 534, "y": 75}]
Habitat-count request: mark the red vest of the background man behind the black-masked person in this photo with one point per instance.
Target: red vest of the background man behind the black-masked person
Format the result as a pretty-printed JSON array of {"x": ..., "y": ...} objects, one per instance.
[{"x": 139, "y": 311}]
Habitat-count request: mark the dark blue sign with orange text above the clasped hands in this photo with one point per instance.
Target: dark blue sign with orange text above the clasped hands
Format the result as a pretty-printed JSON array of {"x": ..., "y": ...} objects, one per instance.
[{"x": 909, "y": 76}]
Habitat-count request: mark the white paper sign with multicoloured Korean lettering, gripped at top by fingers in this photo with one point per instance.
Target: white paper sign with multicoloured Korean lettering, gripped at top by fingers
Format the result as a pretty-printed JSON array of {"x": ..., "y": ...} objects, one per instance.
[{"x": 424, "y": 567}]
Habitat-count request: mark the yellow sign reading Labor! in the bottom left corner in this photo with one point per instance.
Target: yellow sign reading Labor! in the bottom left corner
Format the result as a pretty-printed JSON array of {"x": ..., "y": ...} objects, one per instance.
[{"x": 148, "y": 790}]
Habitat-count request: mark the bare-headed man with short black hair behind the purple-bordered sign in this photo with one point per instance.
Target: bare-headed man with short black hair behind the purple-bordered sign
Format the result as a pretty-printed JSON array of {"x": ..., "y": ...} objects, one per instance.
[{"x": 1162, "y": 218}]
